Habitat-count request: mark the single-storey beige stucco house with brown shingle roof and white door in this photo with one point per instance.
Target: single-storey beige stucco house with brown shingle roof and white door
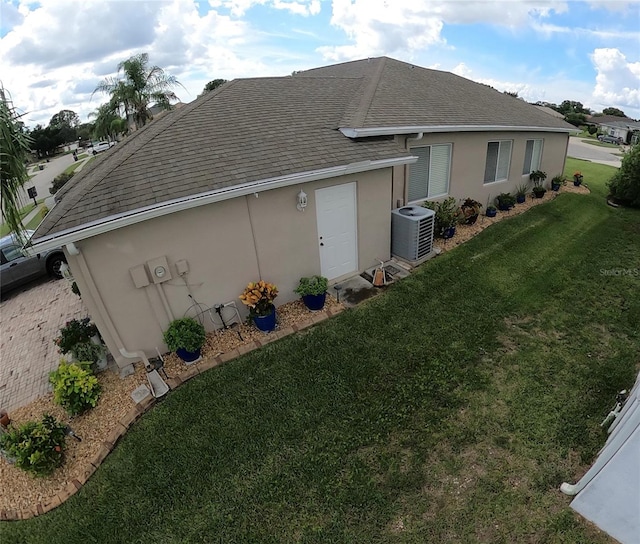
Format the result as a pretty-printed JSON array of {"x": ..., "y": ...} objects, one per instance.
[{"x": 207, "y": 199}]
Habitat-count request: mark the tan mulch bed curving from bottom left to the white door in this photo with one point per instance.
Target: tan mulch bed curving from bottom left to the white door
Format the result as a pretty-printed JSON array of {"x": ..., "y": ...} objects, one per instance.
[{"x": 21, "y": 491}]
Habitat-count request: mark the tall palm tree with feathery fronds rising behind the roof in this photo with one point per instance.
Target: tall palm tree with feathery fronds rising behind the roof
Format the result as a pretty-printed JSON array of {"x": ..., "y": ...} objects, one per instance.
[{"x": 133, "y": 91}]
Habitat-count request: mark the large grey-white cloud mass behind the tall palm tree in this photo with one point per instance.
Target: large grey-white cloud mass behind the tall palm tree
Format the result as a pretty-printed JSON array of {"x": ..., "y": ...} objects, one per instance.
[{"x": 62, "y": 43}]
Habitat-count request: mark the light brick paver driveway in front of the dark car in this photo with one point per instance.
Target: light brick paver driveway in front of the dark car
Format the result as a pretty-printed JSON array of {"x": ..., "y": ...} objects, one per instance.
[{"x": 30, "y": 318}]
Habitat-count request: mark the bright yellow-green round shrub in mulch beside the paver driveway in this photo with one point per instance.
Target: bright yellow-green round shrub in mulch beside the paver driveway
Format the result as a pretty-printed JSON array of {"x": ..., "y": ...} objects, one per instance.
[{"x": 75, "y": 388}]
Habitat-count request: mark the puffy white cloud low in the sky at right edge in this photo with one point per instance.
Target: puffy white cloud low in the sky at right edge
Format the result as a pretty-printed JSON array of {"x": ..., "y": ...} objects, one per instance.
[{"x": 617, "y": 81}]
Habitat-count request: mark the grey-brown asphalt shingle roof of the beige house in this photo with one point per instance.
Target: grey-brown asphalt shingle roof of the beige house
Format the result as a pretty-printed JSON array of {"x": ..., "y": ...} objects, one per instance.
[{"x": 261, "y": 128}]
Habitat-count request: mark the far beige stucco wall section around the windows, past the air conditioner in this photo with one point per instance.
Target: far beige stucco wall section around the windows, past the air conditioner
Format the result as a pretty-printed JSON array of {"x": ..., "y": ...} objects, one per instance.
[{"x": 468, "y": 158}]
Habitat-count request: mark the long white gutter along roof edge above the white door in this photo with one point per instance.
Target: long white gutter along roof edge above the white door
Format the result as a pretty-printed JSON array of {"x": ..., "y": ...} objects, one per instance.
[{"x": 101, "y": 226}]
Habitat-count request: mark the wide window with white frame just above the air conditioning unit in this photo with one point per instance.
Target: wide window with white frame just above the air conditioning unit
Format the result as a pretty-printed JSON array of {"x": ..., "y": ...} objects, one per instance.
[{"x": 429, "y": 175}]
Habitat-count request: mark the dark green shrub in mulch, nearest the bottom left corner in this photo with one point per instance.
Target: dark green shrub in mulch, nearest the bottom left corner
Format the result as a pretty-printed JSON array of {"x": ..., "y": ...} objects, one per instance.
[{"x": 37, "y": 446}]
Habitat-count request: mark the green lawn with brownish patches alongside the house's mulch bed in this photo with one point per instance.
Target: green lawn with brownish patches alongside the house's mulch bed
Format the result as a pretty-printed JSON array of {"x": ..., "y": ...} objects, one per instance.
[{"x": 448, "y": 410}]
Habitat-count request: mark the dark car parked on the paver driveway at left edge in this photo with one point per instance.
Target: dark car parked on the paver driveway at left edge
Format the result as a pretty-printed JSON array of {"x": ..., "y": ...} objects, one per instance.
[{"x": 20, "y": 265}]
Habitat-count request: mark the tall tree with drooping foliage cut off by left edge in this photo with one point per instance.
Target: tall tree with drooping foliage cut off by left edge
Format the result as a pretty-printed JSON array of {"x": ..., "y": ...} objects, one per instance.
[{"x": 14, "y": 149}]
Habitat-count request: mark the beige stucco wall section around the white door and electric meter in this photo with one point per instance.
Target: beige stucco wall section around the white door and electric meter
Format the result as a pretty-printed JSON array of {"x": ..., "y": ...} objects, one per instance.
[{"x": 217, "y": 241}]
